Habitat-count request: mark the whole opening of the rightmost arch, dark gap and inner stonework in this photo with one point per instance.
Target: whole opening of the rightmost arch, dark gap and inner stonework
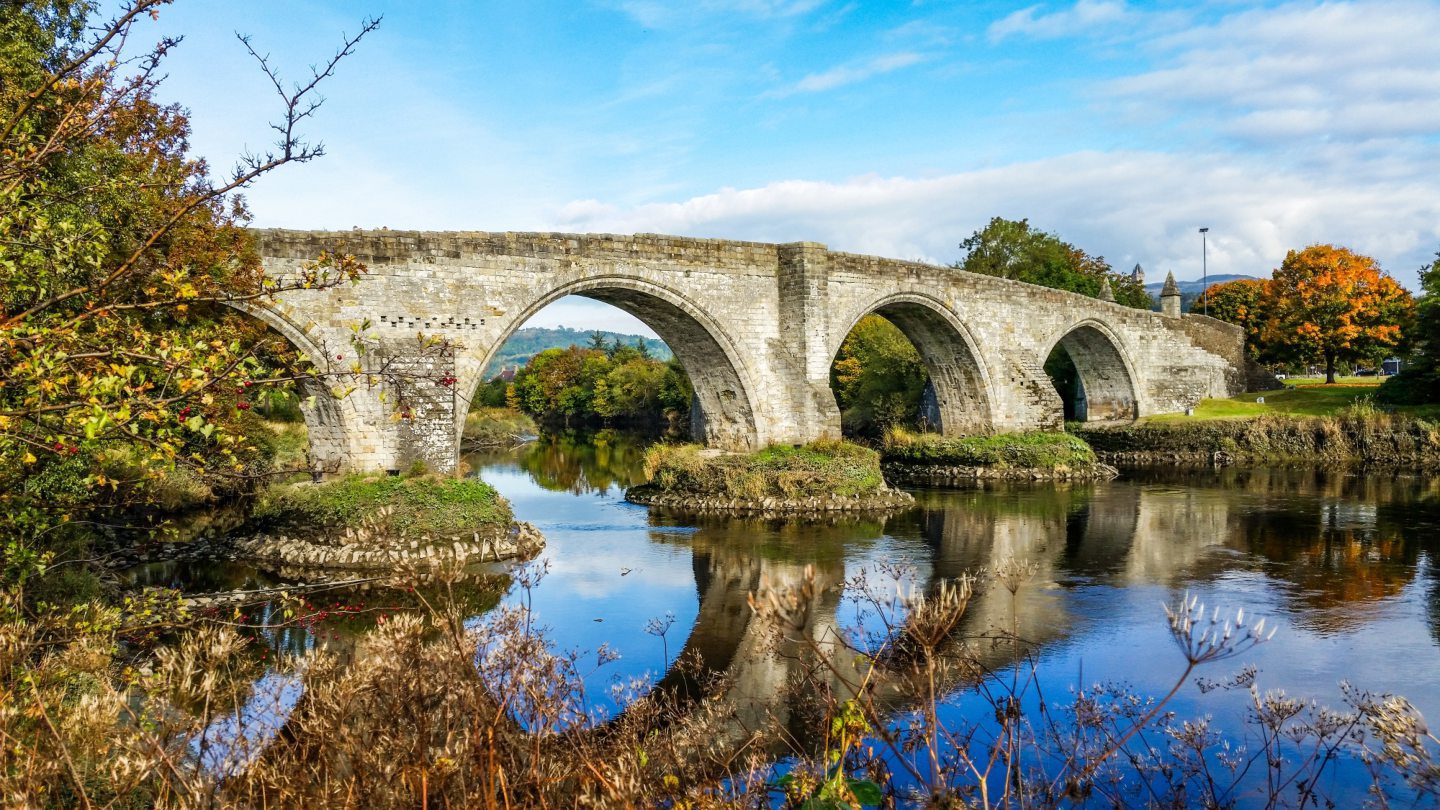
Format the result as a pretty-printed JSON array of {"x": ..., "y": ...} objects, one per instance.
[{"x": 1092, "y": 377}]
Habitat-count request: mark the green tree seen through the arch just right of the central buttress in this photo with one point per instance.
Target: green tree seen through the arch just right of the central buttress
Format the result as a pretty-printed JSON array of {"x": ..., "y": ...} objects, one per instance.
[{"x": 879, "y": 378}]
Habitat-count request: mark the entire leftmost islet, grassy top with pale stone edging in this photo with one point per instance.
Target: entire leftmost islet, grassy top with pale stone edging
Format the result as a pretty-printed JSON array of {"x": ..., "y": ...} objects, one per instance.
[{"x": 385, "y": 524}]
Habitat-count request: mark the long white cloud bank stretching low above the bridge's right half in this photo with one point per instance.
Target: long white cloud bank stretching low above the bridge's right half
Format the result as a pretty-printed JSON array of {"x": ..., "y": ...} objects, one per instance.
[{"x": 1130, "y": 207}]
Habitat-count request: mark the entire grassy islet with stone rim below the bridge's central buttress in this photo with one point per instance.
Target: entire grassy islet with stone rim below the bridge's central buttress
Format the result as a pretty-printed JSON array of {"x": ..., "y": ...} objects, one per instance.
[{"x": 820, "y": 478}]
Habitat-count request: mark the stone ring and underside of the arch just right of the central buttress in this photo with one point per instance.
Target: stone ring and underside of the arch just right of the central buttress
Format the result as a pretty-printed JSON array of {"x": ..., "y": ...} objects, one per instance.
[{"x": 961, "y": 381}]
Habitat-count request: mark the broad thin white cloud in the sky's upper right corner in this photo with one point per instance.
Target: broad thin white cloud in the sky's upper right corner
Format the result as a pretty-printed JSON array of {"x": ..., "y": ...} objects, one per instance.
[{"x": 1334, "y": 71}]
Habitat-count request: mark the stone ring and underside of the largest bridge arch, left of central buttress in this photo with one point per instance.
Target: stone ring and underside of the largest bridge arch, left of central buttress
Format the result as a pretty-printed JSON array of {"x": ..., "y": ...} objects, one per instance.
[{"x": 725, "y": 409}]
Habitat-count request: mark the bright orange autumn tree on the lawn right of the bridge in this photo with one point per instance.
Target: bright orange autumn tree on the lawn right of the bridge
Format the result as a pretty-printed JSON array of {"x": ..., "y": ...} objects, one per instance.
[{"x": 1328, "y": 303}]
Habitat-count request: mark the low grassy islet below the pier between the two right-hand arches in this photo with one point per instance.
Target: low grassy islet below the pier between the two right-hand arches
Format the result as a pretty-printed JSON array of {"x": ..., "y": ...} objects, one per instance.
[{"x": 931, "y": 459}]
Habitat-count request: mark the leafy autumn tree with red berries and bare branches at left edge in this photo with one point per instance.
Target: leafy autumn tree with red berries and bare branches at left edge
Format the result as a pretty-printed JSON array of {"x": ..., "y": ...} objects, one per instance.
[{"x": 119, "y": 254}]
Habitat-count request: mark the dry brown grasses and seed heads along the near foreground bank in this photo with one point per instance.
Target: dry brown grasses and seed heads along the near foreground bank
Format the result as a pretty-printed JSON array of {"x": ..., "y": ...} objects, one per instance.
[{"x": 440, "y": 711}]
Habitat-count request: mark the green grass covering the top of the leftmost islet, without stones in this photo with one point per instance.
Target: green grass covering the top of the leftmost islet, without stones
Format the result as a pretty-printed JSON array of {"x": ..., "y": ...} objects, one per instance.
[{"x": 390, "y": 507}]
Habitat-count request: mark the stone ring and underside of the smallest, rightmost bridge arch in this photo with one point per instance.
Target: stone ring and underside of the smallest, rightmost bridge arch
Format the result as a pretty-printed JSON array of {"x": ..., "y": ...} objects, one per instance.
[{"x": 1105, "y": 375}]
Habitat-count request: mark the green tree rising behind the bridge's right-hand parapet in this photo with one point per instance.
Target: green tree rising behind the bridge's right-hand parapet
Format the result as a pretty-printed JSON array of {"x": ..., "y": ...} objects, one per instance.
[{"x": 1010, "y": 249}]
